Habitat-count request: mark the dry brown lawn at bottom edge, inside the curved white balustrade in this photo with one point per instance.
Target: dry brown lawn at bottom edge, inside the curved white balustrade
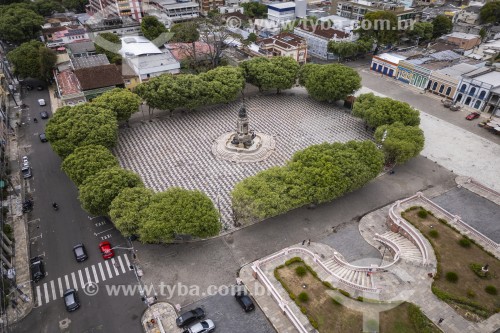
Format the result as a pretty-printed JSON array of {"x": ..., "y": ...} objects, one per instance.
[{"x": 332, "y": 317}]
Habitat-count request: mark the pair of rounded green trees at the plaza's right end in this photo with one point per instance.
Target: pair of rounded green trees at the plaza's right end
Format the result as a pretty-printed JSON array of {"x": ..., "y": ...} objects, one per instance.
[{"x": 396, "y": 125}]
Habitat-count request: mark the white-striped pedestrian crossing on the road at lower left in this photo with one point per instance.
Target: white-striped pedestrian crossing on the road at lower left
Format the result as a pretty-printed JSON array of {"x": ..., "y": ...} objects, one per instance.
[{"x": 100, "y": 272}]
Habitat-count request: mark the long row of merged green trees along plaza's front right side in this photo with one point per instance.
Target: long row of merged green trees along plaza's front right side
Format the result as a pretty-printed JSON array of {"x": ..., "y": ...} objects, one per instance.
[{"x": 314, "y": 175}]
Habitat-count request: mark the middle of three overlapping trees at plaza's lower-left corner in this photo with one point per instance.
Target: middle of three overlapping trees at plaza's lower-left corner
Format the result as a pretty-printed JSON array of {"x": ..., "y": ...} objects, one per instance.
[{"x": 126, "y": 209}]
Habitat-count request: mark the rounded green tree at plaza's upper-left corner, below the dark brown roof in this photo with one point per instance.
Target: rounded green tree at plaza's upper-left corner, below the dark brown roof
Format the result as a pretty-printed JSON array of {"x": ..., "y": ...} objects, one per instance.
[{"x": 122, "y": 102}]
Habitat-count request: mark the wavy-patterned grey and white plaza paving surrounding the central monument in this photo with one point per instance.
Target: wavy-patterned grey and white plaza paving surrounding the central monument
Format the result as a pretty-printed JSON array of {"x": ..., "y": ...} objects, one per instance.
[{"x": 177, "y": 151}]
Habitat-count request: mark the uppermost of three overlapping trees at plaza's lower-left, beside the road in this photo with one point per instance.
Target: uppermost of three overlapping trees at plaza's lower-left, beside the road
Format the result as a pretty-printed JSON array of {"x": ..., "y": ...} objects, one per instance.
[{"x": 99, "y": 190}]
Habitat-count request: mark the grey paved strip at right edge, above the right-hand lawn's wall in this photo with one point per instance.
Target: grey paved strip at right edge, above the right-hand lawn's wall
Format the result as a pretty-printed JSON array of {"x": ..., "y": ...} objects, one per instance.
[{"x": 478, "y": 212}]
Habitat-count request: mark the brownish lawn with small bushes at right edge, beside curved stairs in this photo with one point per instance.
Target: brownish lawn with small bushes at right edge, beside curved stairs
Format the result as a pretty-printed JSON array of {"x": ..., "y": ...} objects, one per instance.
[{"x": 468, "y": 293}]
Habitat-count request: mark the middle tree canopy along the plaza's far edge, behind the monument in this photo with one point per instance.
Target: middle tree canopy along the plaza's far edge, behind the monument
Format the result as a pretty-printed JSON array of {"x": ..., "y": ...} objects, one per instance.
[{"x": 275, "y": 73}]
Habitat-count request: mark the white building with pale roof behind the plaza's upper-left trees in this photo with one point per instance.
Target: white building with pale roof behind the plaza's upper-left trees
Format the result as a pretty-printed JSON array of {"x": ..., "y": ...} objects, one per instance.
[{"x": 147, "y": 60}]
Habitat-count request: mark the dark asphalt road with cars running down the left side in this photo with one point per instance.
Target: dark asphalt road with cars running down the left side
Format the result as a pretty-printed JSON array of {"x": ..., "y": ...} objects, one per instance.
[{"x": 53, "y": 235}]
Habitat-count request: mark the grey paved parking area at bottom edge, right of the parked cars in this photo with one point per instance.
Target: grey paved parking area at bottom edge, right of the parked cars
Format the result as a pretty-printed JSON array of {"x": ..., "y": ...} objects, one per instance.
[{"x": 229, "y": 317}]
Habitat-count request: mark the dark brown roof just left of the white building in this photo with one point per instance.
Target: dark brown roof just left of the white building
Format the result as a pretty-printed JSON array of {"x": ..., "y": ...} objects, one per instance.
[{"x": 99, "y": 77}]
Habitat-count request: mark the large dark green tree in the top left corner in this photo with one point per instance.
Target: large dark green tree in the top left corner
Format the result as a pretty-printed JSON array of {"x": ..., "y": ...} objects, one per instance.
[{"x": 18, "y": 24}]
